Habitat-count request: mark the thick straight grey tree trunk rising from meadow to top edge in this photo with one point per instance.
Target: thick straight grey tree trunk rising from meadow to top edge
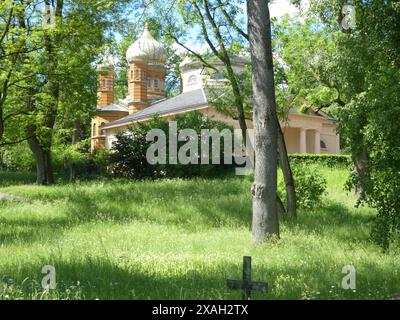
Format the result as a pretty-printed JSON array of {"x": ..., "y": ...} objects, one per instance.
[{"x": 265, "y": 218}]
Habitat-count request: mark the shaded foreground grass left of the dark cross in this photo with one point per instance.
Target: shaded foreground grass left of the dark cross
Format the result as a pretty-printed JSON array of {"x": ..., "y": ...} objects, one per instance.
[{"x": 98, "y": 278}]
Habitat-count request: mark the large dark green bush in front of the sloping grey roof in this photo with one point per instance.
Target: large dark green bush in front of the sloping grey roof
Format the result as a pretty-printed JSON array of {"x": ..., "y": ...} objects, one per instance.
[{"x": 128, "y": 156}]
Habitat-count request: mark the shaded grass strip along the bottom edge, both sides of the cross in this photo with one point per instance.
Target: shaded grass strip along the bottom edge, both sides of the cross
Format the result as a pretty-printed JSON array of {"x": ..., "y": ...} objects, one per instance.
[{"x": 99, "y": 278}]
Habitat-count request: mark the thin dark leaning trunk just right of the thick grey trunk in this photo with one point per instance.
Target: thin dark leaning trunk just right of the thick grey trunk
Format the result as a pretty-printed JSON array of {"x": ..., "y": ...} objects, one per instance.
[{"x": 288, "y": 175}]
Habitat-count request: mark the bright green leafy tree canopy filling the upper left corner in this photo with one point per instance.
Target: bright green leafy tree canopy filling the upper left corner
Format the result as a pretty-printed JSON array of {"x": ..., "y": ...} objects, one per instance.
[{"x": 48, "y": 78}]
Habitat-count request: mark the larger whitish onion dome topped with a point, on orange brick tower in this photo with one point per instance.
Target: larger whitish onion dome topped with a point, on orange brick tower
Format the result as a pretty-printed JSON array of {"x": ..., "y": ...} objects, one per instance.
[{"x": 147, "y": 49}]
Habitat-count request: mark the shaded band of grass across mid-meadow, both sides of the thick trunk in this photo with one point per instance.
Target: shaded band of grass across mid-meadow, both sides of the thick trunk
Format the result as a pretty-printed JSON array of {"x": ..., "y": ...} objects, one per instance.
[{"x": 190, "y": 204}]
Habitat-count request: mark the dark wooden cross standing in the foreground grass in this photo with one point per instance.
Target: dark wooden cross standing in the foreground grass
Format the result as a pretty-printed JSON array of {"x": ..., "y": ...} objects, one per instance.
[{"x": 246, "y": 285}]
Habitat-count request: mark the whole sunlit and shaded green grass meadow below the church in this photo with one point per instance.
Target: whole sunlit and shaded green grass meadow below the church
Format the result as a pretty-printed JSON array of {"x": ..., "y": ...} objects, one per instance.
[{"x": 181, "y": 239}]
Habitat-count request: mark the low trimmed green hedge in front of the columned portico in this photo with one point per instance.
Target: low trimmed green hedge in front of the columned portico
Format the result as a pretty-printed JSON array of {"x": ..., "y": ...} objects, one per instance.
[{"x": 324, "y": 159}]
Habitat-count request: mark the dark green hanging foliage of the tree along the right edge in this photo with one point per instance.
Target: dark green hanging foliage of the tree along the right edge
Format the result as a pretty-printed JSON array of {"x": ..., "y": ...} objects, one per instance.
[{"x": 365, "y": 71}]
